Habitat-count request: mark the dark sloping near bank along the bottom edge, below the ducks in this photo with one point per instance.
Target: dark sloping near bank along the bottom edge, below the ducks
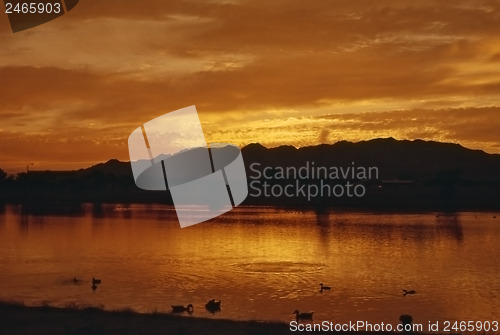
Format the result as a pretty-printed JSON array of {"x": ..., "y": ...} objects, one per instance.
[{"x": 22, "y": 320}]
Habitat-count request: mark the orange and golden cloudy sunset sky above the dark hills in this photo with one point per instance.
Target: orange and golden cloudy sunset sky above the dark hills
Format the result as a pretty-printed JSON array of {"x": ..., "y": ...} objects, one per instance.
[{"x": 276, "y": 72}]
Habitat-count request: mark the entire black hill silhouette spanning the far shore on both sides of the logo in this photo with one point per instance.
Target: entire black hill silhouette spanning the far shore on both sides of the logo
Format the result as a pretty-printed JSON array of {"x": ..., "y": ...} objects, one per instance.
[{"x": 412, "y": 175}]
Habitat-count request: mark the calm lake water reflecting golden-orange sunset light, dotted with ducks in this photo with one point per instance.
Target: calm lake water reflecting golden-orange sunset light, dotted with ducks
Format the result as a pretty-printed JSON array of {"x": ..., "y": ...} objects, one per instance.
[{"x": 263, "y": 263}]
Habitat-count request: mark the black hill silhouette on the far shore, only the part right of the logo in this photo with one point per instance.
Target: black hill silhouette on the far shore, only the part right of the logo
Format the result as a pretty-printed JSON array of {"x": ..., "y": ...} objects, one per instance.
[{"x": 412, "y": 175}]
